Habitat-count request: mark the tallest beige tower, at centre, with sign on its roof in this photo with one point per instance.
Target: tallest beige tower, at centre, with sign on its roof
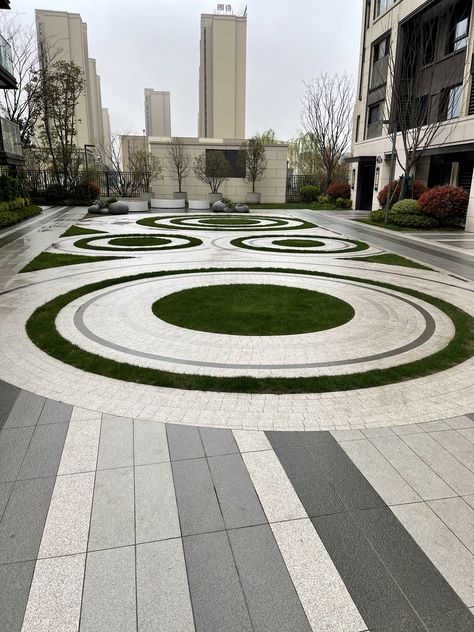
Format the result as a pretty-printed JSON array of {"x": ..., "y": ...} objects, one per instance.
[{"x": 222, "y": 74}]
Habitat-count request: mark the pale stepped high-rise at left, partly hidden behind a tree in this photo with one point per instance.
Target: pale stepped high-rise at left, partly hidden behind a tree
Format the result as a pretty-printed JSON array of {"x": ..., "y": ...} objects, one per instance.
[{"x": 66, "y": 35}]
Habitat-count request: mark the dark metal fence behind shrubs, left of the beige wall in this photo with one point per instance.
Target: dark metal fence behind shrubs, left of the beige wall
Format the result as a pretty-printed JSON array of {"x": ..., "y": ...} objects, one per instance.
[{"x": 119, "y": 183}]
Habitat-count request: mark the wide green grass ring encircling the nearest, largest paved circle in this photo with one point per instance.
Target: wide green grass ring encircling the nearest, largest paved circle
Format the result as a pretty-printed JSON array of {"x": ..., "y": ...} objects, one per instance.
[{"x": 41, "y": 329}]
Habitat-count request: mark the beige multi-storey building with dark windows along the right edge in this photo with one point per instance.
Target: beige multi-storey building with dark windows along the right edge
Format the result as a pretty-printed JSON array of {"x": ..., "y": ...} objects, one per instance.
[{"x": 416, "y": 57}]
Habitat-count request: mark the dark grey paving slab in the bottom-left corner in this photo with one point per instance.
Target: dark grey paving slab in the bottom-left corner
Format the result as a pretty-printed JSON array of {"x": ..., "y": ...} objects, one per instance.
[{"x": 15, "y": 582}]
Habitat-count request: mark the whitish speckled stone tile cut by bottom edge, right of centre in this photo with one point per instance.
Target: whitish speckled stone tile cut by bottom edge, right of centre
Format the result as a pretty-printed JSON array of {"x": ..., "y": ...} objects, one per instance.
[{"x": 321, "y": 590}]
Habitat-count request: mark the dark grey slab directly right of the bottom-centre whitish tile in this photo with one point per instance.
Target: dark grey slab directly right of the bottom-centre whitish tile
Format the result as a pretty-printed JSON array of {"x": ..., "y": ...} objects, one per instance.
[{"x": 379, "y": 600}]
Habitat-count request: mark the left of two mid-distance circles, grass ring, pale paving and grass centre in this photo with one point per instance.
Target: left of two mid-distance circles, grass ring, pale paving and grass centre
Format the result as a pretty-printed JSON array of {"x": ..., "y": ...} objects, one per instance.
[{"x": 131, "y": 242}]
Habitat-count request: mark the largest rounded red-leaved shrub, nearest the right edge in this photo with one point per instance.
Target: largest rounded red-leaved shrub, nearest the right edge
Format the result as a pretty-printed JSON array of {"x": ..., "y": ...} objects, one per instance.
[{"x": 446, "y": 204}]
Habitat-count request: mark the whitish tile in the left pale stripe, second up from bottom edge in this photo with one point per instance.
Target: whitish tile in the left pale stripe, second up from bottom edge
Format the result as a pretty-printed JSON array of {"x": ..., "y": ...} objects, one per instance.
[{"x": 67, "y": 525}]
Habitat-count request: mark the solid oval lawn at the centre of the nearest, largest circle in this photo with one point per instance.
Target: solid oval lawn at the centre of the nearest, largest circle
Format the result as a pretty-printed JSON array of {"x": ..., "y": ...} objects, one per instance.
[{"x": 253, "y": 310}]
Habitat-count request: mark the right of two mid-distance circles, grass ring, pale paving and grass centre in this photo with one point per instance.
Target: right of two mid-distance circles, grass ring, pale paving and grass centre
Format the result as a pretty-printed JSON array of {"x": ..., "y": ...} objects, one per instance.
[{"x": 314, "y": 244}]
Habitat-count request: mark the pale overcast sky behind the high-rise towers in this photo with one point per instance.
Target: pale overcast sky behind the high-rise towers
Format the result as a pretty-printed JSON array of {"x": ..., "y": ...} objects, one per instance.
[{"x": 155, "y": 44}]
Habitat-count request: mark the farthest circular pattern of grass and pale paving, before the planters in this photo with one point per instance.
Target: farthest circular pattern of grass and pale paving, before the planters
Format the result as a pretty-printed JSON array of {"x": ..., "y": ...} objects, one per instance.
[{"x": 225, "y": 222}]
